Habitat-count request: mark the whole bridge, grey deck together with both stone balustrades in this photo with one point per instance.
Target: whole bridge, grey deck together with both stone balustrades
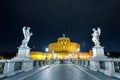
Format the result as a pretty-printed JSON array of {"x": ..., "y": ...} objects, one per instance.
[{"x": 46, "y": 70}]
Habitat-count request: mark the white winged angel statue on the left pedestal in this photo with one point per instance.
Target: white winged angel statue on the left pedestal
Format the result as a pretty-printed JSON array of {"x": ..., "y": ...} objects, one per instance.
[{"x": 27, "y": 35}]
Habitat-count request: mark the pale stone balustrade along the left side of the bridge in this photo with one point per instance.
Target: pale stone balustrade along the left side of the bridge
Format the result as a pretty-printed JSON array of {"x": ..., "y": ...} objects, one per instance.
[{"x": 12, "y": 67}]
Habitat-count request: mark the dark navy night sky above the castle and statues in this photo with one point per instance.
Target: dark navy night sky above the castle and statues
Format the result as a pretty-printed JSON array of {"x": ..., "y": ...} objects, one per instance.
[{"x": 49, "y": 19}]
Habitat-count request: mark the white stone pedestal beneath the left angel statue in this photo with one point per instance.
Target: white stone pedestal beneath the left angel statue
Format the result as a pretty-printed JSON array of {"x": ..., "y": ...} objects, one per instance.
[{"x": 24, "y": 58}]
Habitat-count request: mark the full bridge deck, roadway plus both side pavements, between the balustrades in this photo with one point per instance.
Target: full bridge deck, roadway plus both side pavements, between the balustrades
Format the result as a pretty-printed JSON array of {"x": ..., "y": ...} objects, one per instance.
[{"x": 61, "y": 72}]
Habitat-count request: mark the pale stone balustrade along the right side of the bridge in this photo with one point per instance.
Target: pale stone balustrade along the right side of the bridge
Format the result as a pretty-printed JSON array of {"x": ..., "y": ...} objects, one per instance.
[{"x": 110, "y": 67}]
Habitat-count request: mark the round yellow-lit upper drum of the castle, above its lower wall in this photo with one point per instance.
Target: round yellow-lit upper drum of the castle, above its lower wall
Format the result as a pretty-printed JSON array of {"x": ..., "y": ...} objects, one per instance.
[{"x": 64, "y": 45}]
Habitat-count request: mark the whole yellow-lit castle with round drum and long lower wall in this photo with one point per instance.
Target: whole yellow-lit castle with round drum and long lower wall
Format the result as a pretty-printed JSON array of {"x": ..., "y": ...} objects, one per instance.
[{"x": 62, "y": 49}]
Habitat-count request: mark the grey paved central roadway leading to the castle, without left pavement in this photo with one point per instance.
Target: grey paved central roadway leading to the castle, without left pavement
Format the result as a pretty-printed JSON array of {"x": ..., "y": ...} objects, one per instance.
[{"x": 66, "y": 72}]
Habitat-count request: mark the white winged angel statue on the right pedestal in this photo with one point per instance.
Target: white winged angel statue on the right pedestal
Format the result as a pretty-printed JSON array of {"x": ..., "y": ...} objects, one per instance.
[{"x": 95, "y": 38}]
